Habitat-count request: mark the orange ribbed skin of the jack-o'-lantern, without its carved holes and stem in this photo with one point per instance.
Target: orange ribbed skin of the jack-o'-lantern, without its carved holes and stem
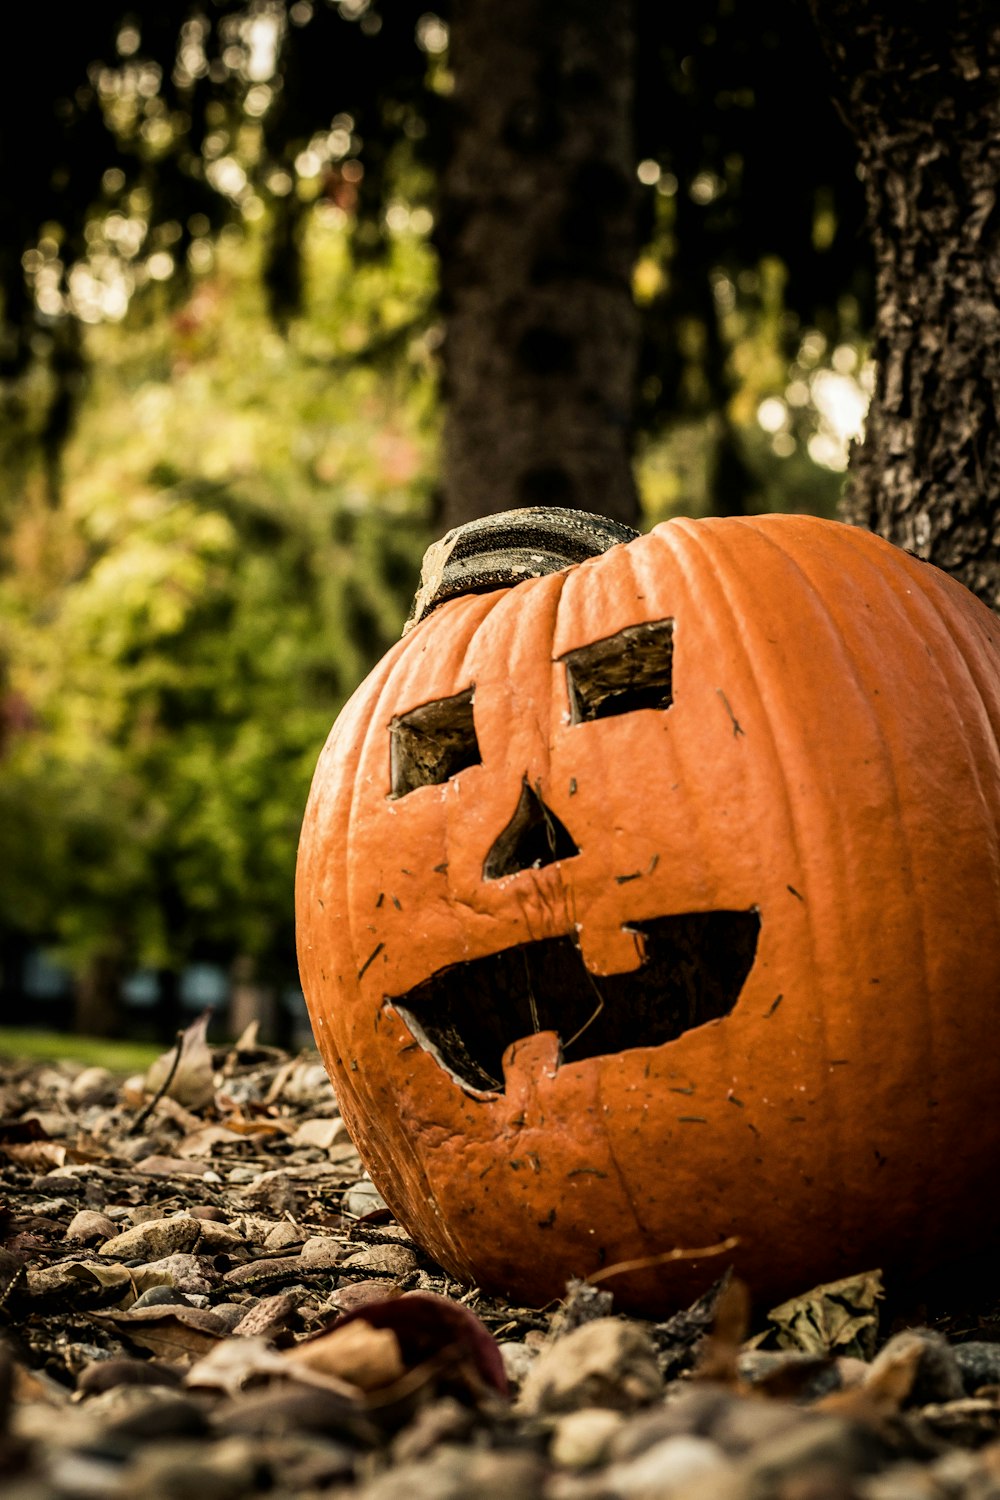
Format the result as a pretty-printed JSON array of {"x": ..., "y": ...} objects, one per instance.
[{"x": 830, "y": 760}]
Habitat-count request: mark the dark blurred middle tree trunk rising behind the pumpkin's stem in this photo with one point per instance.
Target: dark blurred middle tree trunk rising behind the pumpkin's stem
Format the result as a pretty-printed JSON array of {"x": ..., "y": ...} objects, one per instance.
[{"x": 537, "y": 247}]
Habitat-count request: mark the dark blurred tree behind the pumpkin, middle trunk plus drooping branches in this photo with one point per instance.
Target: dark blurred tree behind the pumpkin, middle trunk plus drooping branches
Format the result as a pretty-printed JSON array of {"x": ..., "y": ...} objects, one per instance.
[{"x": 564, "y": 137}]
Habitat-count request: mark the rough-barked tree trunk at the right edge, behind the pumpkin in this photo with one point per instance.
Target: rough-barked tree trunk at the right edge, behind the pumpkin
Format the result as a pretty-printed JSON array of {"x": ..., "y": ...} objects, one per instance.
[{"x": 920, "y": 85}]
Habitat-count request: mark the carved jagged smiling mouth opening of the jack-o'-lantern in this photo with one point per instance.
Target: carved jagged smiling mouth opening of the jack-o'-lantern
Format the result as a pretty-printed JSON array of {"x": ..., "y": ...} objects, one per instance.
[{"x": 693, "y": 970}]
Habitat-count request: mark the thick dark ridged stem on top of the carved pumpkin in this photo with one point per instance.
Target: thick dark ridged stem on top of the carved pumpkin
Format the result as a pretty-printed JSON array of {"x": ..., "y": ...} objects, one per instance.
[{"x": 509, "y": 548}]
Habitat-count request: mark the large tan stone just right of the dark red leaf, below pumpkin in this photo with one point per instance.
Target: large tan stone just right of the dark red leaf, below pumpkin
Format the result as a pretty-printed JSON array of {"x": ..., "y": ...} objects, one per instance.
[{"x": 606, "y": 1363}]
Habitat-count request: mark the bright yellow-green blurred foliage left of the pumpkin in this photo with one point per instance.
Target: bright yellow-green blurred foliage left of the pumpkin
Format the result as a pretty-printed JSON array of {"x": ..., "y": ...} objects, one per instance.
[{"x": 242, "y": 524}]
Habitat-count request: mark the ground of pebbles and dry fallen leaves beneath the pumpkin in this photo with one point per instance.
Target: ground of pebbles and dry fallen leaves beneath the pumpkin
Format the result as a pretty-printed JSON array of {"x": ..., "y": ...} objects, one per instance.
[{"x": 203, "y": 1298}]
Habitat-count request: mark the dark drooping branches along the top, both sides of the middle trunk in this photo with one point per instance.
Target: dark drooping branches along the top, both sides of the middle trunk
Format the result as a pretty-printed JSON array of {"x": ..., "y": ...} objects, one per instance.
[{"x": 157, "y": 128}]
